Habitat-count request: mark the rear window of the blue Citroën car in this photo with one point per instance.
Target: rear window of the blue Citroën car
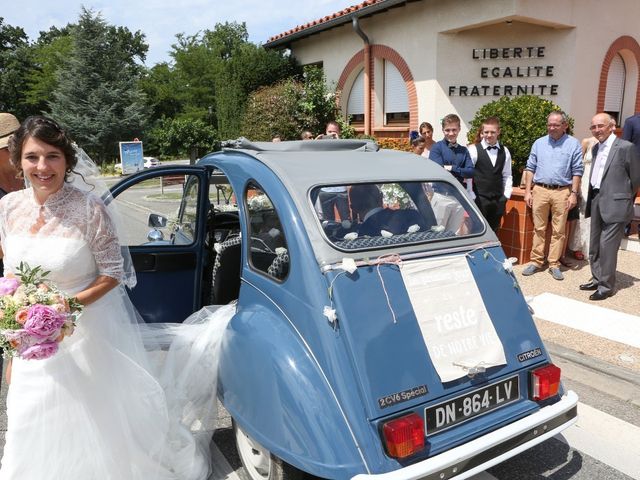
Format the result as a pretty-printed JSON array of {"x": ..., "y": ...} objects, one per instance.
[{"x": 375, "y": 215}]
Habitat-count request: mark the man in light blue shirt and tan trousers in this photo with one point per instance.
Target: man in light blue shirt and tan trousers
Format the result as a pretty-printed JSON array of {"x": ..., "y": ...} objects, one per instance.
[{"x": 552, "y": 187}]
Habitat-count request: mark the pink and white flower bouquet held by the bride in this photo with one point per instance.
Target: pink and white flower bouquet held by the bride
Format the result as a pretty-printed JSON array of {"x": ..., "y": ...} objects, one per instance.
[{"x": 34, "y": 315}]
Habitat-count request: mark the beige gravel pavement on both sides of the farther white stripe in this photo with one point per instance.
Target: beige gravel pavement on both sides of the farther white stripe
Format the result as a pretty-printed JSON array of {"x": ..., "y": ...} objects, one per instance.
[{"x": 626, "y": 299}]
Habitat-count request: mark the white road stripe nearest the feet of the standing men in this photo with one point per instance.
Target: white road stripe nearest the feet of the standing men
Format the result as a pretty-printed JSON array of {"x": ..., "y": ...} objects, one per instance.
[{"x": 603, "y": 322}]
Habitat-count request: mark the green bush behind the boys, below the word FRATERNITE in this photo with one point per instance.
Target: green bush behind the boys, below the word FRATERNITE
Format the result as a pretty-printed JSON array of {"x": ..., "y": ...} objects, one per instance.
[{"x": 523, "y": 119}]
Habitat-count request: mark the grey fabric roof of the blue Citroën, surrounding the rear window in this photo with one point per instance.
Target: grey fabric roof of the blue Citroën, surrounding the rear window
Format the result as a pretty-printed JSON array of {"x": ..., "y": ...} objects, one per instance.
[{"x": 305, "y": 164}]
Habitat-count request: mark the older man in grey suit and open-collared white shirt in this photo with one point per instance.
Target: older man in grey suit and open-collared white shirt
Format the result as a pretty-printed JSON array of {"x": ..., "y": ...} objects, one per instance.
[{"x": 614, "y": 180}]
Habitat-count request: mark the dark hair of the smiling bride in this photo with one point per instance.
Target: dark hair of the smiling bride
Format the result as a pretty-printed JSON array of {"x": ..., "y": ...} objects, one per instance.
[{"x": 47, "y": 131}]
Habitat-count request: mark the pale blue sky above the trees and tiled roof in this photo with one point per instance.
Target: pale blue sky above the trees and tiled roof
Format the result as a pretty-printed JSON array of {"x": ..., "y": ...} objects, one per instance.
[{"x": 161, "y": 20}]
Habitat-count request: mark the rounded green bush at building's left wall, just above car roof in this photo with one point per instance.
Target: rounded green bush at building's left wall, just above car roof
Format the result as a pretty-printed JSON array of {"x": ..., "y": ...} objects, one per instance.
[{"x": 289, "y": 107}]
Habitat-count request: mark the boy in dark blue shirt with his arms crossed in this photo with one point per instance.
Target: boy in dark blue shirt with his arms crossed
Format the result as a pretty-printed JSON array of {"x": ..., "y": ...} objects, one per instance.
[{"x": 449, "y": 154}]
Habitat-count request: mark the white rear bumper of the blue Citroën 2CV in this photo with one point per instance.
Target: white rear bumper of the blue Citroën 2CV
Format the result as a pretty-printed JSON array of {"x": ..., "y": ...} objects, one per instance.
[{"x": 490, "y": 449}]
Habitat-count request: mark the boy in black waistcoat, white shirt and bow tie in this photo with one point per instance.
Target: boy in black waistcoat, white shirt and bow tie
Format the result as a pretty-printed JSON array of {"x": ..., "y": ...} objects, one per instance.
[{"x": 492, "y": 179}]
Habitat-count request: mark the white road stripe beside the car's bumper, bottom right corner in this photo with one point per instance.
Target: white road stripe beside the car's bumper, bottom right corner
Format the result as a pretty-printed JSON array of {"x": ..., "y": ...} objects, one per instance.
[{"x": 605, "y": 438}]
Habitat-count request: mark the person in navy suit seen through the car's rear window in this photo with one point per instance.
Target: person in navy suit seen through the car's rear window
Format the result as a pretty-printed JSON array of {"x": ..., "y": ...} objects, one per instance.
[{"x": 366, "y": 203}]
